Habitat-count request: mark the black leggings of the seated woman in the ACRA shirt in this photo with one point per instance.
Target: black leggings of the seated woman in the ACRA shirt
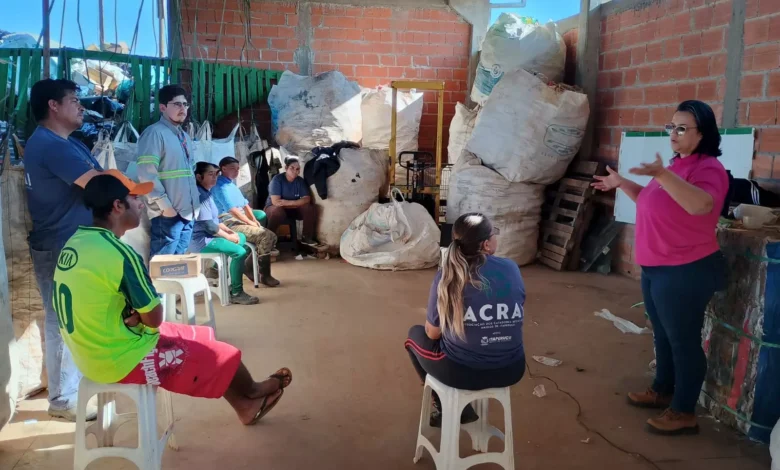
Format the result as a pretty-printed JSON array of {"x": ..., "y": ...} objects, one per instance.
[{"x": 427, "y": 358}]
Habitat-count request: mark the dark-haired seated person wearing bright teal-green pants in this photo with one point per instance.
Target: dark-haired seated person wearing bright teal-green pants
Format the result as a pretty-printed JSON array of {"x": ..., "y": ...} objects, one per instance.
[{"x": 210, "y": 236}]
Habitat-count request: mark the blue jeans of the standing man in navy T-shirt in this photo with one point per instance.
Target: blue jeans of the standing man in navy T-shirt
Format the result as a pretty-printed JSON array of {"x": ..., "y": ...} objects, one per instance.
[{"x": 62, "y": 373}]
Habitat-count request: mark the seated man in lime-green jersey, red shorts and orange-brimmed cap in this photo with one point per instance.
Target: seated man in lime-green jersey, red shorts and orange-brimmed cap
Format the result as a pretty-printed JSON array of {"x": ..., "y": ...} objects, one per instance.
[{"x": 111, "y": 318}]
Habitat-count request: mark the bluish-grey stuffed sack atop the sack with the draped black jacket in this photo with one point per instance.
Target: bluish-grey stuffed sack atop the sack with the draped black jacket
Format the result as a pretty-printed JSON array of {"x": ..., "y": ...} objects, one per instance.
[{"x": 319, "y": 111}]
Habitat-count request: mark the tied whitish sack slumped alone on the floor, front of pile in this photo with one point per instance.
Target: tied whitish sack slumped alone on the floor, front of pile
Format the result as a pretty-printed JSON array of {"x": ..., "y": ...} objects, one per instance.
[{"x": 395, "y": 236}]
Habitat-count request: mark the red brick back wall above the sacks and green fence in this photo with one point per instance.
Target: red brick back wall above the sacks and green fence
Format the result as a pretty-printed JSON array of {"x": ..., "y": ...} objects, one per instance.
[{"x": 372, "y": 45}]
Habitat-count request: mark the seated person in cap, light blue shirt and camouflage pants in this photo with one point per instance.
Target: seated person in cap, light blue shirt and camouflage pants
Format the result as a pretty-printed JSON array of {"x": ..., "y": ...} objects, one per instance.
[{"x": 237, "y": 215}]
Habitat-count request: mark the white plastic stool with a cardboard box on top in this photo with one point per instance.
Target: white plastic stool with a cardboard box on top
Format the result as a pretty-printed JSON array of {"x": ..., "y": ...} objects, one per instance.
[{"x": 186, "y": 288}]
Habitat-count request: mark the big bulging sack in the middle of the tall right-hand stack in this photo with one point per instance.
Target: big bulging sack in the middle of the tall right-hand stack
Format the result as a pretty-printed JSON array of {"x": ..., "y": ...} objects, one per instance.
[{"x": 537, "y": 143}]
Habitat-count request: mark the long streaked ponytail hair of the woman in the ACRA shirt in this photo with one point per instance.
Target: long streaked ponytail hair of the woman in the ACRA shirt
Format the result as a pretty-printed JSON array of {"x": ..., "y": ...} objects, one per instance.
[{"x": 461, "y": 266}]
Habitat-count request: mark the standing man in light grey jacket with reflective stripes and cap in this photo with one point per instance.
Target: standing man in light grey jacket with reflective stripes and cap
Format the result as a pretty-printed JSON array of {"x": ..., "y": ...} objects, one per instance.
[{"x": 166, "y": 158}]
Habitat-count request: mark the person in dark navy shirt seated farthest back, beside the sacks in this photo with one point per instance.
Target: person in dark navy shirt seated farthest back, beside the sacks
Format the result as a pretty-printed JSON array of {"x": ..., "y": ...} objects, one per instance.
[{"x": 289, "y": 199}]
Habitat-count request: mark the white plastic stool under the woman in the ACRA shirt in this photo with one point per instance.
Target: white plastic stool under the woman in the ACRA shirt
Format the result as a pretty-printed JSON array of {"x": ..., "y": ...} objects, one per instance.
[{"x": 453, "y": 401}]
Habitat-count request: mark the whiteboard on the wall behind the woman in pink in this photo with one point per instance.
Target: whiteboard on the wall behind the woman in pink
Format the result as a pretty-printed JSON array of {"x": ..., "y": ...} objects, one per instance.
[{"x": 641, "y": 147}]
